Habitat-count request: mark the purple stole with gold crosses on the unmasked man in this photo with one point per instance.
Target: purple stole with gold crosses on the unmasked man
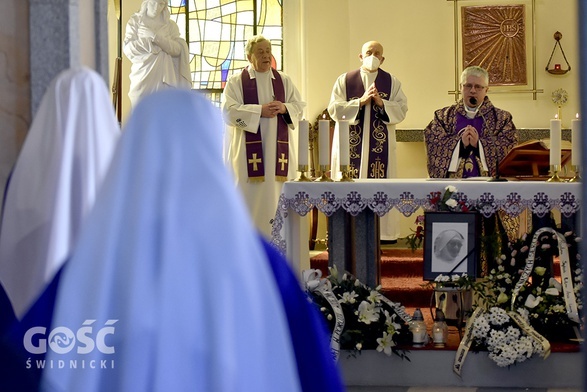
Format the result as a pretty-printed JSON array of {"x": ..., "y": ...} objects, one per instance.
[{"x": 254, "y": 142}]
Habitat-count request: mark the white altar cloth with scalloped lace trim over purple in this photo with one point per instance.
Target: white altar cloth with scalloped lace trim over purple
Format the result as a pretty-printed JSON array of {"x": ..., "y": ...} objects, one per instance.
[{"x": 290, "y": 226}]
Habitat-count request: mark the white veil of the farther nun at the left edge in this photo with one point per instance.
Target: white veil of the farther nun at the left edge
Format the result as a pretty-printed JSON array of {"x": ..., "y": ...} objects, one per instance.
[{"x": 54, "y": 183}]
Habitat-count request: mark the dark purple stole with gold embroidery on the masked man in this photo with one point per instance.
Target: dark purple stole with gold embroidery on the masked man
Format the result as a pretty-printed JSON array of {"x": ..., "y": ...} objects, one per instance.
[{"x": 378, "y": 135}]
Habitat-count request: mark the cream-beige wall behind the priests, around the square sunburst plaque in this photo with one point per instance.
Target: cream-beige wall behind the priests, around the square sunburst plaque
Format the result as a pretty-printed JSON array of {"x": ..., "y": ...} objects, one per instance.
[{"x": 322, "y": 39}]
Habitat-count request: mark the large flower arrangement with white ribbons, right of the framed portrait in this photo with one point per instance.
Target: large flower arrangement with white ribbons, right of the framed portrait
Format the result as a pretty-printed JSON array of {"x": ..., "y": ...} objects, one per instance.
[{"x": 523, "y": 305}]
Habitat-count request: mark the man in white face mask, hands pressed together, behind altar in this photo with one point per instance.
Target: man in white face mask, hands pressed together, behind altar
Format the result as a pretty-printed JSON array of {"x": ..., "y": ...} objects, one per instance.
[{"x": 373, "y": 102}]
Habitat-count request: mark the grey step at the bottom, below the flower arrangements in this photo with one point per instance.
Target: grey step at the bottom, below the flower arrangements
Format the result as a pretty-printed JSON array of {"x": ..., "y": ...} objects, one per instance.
[{"x": 433, "y": 368}]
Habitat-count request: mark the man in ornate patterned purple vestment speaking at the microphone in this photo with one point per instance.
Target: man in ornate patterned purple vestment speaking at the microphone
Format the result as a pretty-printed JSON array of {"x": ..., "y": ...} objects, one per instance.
[{"x": 470, "y": 137}]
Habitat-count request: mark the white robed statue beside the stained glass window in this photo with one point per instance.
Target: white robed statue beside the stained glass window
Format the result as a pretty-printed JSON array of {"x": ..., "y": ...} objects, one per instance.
[{"x": 159, "y": 56}]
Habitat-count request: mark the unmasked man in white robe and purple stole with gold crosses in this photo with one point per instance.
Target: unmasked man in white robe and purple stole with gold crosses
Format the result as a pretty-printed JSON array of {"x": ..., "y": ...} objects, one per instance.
[{"x": 261, "y": 108}]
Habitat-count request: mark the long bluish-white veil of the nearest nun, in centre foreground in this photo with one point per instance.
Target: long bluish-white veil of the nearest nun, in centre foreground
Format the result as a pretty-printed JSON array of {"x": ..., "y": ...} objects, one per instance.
[{"x": 169, "y": 273}]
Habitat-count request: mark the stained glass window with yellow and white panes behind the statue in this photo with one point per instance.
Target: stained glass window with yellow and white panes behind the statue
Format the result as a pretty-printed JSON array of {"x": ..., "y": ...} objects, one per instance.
[{"x": 217, "y": 31}]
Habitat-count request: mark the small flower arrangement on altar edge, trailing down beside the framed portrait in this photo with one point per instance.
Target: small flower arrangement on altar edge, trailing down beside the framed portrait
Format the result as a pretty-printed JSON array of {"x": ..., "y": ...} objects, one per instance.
[{"x": 438, "y": 201}]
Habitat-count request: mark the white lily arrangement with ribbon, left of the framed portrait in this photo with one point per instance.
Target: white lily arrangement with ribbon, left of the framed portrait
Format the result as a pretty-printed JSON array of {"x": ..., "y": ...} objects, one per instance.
[{"x": 369, "y": 321}]
